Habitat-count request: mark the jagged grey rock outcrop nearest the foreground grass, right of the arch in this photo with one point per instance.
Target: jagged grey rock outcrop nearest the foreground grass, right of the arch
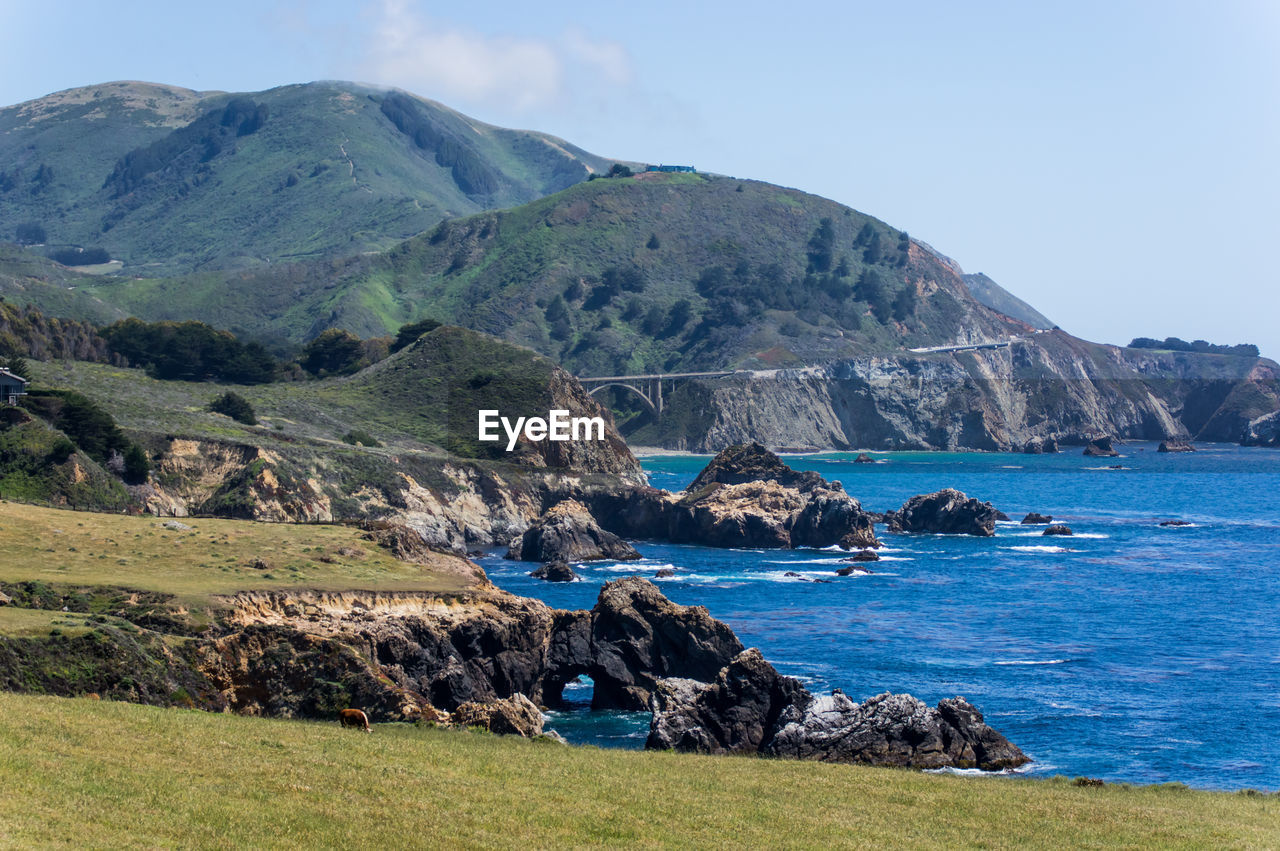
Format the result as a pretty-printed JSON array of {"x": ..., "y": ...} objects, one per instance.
[{"x": 752, "y": 710}]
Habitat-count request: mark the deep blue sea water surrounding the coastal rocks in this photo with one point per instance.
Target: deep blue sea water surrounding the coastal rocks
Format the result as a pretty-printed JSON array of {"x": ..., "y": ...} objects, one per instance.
[{"x": 1128, "y": 652}]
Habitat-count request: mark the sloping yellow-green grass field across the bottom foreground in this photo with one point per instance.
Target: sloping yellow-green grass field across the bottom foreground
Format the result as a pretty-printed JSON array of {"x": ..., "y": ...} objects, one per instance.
[{"x": 107, "y": 775}]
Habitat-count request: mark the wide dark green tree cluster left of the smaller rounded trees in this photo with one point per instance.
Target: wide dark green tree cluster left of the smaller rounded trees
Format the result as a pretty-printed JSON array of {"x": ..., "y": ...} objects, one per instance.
[{"x": 190, "y": 353}]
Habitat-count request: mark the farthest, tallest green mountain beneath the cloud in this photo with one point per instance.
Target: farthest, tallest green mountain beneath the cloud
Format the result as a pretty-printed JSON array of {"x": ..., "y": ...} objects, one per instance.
[{"x": 167, "y": 180}]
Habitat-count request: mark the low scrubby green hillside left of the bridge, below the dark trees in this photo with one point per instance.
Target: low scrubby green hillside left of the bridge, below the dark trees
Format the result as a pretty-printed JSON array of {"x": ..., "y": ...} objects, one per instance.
[{"x": 422, "y": 399}]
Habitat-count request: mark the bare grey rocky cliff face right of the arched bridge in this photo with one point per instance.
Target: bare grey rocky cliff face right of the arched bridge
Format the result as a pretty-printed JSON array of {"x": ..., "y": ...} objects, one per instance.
[{"x": 1045, "y": 386}]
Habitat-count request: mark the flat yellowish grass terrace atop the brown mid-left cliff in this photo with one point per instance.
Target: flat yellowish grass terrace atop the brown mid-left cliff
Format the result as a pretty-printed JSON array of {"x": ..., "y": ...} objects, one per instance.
[{"x": 214, "y": 557}]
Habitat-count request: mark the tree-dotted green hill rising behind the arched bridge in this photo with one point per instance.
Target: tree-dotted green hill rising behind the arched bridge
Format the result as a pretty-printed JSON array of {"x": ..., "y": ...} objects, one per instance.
[{"x": 632, "y": 274}]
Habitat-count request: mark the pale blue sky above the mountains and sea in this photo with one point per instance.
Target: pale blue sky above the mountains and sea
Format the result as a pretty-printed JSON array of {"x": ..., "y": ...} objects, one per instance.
[{"x": 1114, "y": 164}]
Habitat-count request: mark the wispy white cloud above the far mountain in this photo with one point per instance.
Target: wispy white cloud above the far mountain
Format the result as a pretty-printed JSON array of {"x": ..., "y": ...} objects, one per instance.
[{"x": 442, "y": 61}]
